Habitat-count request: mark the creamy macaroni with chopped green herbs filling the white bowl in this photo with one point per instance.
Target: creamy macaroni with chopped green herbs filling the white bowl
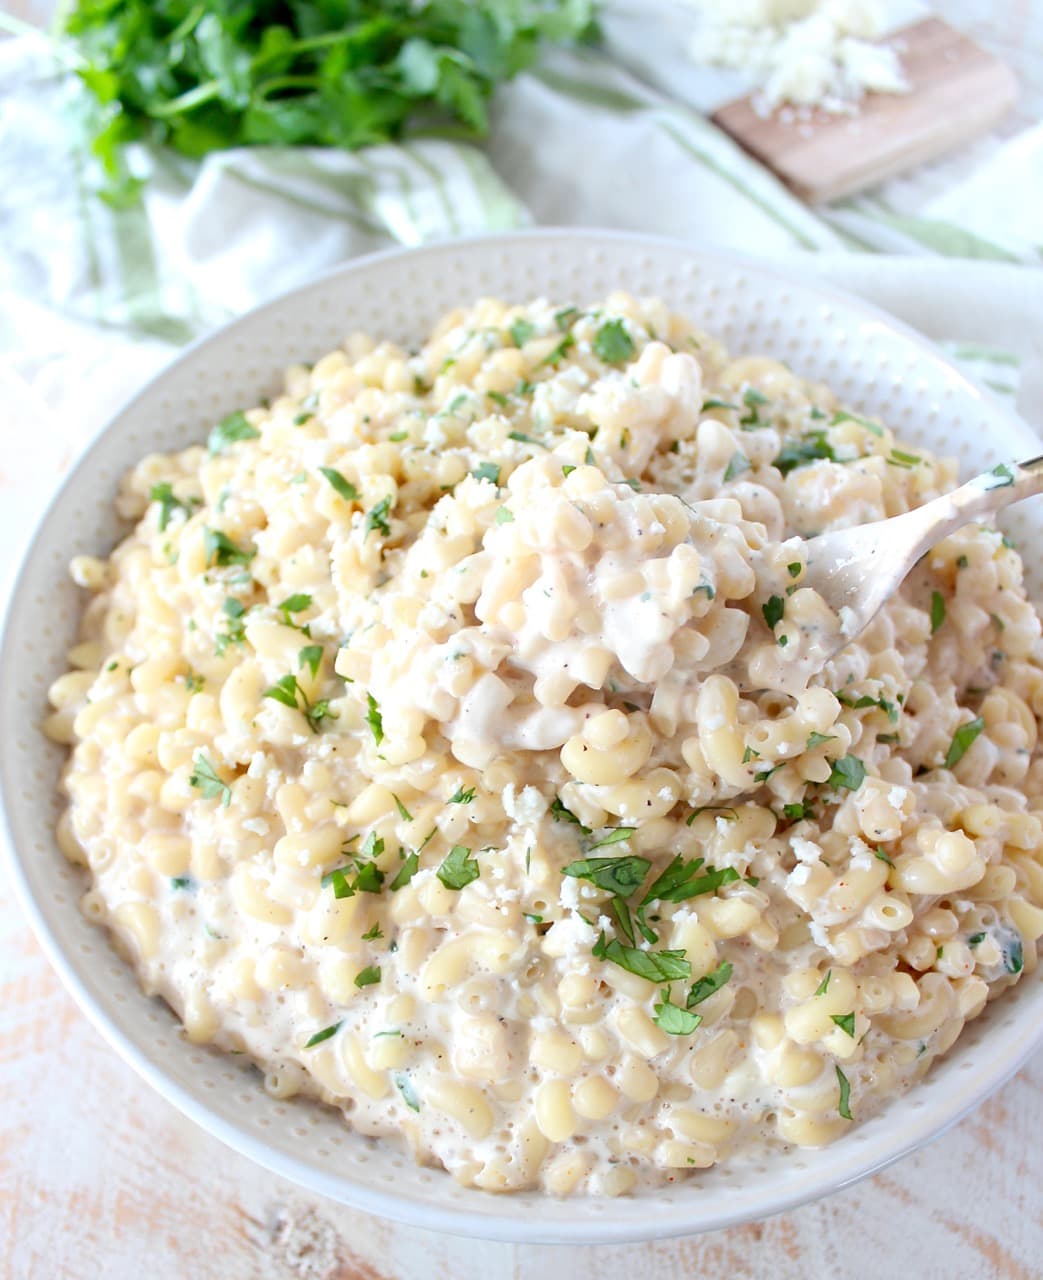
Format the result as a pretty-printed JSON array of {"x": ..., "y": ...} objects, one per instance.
[{"x": 438, "y": 739}]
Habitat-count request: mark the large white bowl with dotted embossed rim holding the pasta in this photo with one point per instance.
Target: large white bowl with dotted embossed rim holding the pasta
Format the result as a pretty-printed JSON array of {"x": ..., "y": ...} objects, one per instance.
[{"x": 872, "y": 363}]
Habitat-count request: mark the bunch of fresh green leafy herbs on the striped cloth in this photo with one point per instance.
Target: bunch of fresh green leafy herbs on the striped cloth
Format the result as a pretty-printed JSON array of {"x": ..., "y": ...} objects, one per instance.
[{"x": 345, "y": 74}]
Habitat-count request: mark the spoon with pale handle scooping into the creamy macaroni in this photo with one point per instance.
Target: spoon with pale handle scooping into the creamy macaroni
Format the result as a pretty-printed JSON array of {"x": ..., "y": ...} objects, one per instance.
[{"x": 858, "y": 570}]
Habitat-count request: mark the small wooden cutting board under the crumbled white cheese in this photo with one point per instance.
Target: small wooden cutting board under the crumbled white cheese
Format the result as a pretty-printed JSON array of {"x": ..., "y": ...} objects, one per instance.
[{"x": 957, "y": 92}]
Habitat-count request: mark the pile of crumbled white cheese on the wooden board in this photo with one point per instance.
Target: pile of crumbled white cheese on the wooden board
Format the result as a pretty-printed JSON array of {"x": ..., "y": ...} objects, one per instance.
[{"x": 811, "y": 53}]
